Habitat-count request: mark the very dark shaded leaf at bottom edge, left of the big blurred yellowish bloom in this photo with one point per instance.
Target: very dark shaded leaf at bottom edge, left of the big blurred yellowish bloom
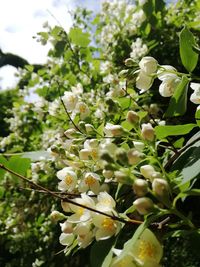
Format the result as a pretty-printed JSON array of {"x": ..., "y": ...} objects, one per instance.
[{"x": 99, "y": 251}]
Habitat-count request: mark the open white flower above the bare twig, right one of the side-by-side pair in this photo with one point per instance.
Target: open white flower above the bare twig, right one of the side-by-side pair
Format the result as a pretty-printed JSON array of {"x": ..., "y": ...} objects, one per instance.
[{"x": 90, "y": 182}]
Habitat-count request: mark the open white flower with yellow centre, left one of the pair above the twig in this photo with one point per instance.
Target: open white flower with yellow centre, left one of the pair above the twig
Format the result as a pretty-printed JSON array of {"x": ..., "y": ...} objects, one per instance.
[{"x": 68, "y": 179}]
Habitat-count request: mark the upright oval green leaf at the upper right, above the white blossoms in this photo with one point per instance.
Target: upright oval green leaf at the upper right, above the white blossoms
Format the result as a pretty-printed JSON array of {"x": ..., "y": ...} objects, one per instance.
[{"x": 189, "y": 57}]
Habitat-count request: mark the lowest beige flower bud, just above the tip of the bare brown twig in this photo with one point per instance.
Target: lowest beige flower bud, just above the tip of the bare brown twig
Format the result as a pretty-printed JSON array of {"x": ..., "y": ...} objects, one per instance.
[{"x": 143, "y": 205}]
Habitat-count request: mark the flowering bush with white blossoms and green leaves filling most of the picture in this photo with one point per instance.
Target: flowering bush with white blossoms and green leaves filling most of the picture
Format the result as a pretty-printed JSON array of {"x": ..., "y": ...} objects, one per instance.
[{"x": 113, "y": 135}]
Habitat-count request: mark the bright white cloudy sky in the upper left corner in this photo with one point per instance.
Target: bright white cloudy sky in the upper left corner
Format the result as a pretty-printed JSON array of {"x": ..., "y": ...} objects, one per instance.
[{"x": 20, "y": 20}]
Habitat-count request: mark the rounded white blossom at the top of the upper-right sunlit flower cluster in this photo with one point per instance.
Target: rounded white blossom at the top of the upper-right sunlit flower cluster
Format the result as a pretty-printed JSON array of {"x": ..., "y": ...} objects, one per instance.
[{"x": 148, "y": 65}]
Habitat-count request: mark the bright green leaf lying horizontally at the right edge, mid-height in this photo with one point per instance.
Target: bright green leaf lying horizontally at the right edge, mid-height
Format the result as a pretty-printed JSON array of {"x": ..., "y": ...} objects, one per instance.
[{"x": 163, "y": 131}]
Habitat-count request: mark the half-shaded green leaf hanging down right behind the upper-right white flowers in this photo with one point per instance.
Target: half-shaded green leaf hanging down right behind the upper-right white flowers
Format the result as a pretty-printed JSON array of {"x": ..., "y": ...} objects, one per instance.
[{"x": 178, "y": 102}]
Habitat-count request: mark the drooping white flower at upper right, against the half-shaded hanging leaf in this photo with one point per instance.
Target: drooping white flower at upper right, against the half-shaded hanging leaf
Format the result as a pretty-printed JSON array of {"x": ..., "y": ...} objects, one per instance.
[{"x": 169, "y": 84}]
